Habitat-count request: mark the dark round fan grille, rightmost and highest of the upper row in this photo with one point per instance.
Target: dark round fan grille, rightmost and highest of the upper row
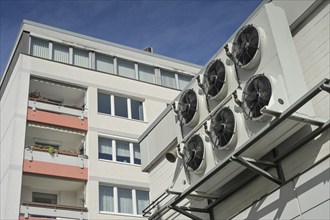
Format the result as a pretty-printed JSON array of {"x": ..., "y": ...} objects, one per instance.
[{"x": 246, "y": 45}]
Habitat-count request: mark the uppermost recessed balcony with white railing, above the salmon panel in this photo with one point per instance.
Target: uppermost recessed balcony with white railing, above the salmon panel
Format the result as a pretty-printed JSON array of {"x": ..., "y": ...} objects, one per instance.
[{"x": 57, "y": 97}]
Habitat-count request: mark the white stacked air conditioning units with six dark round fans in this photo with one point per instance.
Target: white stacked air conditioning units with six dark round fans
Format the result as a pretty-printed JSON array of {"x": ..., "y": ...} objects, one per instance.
[{"x": 258, "y": 68}]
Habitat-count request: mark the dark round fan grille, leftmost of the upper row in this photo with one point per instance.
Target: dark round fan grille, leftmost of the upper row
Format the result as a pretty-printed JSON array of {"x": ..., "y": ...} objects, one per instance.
[{"x": 187, "y": 106}]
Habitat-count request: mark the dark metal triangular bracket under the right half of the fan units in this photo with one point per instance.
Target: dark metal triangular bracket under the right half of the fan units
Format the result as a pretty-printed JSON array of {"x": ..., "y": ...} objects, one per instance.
[{"x": 251, "y": 164}]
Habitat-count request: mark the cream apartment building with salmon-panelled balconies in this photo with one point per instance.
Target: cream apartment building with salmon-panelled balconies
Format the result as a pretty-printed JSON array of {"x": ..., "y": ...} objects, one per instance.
[{"x": 72, "y": 109}]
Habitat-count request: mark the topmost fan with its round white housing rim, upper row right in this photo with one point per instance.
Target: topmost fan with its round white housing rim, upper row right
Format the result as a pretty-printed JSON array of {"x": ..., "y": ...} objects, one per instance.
[{"x": 247, "y": 47}]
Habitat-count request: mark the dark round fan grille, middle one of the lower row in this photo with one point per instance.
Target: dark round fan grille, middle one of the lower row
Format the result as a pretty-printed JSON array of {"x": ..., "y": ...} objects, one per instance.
[{"x": 223, "y": 127}]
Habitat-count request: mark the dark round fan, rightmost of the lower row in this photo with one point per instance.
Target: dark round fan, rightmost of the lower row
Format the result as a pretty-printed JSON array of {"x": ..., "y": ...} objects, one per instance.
[{"x": 256, "y": 95}]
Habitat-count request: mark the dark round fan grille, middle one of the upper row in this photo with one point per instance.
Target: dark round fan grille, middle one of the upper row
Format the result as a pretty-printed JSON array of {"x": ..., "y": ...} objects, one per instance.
[{"x": 214, "y": 77}]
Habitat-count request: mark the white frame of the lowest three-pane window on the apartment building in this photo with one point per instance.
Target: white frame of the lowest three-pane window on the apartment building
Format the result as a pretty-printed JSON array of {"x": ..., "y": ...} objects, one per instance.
[{"x": 115, "y": 201}]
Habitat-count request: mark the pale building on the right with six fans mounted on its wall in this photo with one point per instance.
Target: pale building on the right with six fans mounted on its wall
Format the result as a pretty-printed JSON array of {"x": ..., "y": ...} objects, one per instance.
[{"x": 249, "y": 138}]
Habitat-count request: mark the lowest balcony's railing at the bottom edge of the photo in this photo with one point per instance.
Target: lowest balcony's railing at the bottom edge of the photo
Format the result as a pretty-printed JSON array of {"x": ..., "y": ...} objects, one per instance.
[{"x": 53, "y": 210}]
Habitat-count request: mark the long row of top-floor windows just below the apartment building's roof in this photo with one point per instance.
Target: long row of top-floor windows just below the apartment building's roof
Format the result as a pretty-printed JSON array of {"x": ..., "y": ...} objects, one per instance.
[{"x": 105, "y": 63}]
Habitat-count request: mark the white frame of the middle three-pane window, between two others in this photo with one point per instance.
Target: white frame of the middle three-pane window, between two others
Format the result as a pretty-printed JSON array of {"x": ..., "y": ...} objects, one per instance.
[{"x": 114, "y": 149}]
